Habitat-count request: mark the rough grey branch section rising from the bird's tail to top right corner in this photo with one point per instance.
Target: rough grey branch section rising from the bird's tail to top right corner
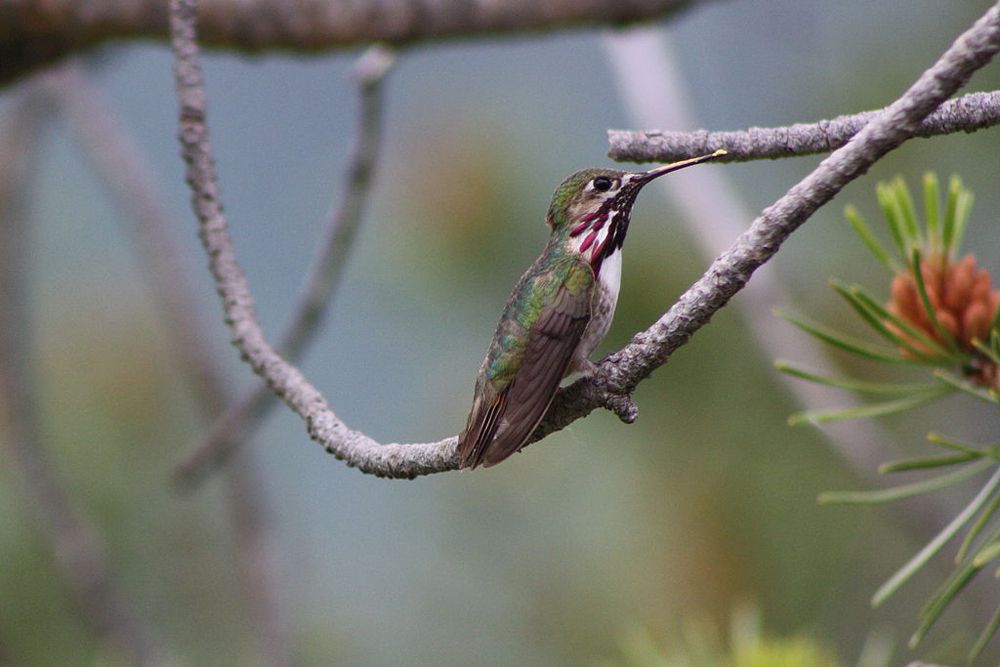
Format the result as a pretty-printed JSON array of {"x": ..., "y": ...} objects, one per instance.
[{"x": 623, "y": 370}]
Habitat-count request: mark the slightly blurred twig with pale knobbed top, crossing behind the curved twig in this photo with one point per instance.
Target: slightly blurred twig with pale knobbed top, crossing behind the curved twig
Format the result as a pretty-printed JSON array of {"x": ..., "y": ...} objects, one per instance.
[{"x": 236, "y": 423}]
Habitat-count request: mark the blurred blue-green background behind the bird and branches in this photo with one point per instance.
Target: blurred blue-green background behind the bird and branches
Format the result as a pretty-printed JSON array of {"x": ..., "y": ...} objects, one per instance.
[{"x": 603, "y": 538}]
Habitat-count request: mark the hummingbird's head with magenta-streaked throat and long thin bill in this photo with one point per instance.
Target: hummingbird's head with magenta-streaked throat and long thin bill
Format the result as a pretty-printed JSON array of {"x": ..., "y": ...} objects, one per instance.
[{"x": 590, "y": 210}]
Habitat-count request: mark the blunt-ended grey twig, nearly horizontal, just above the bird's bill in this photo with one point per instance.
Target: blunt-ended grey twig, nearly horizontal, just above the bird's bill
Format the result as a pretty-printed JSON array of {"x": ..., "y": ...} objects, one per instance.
[{"x": 968, "y": 113}]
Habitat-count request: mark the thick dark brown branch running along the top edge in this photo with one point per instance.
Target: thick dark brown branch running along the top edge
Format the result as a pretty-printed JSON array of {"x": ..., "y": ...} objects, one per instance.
[{"x": 35, "y": 33}]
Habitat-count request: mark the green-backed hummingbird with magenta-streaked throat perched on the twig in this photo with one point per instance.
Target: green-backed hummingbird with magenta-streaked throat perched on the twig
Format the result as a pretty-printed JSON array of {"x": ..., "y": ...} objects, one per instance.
[{"x": 559, "y": 311}]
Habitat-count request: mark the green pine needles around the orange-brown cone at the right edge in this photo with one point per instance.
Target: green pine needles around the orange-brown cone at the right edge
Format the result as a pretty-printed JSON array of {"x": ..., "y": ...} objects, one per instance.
[{"x": 954, "y": 367}]
